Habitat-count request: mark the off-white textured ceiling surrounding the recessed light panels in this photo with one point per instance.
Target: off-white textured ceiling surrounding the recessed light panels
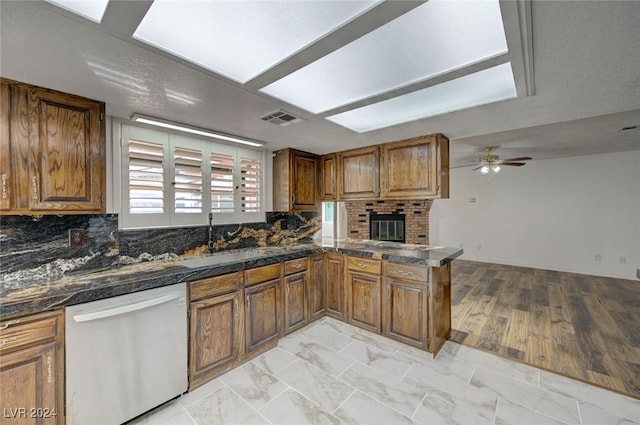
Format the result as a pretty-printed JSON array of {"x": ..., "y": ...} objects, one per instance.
[{"x": 586, "y": 68}]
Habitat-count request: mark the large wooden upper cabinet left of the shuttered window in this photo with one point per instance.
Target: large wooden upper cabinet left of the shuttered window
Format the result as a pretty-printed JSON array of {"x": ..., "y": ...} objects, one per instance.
[{"x": 56, "y": 162}]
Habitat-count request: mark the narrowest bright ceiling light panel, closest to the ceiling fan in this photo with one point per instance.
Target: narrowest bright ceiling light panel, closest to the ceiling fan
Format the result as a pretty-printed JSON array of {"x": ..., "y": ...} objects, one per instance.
[{"x": 487, "y": 86}]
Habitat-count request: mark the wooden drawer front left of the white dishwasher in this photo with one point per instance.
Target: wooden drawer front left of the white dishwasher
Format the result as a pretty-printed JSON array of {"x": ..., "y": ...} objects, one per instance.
[{"x": 25, "y": 331}]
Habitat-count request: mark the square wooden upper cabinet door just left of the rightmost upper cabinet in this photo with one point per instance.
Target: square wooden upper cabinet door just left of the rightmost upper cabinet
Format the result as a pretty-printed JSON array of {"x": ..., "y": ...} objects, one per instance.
[{"x": 358, "y": 173}]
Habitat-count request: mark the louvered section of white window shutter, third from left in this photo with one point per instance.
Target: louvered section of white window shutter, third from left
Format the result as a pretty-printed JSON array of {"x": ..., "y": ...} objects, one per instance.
[{"x": 222, "y": 182}]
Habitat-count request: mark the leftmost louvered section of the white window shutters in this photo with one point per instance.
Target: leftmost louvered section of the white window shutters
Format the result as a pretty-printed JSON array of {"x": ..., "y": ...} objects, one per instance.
[{"x": 146, "y": 178}]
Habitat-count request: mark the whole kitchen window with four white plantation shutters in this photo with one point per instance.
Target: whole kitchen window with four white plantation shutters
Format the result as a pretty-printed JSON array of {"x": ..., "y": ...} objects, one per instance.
[{"x": 167, "y": 177}]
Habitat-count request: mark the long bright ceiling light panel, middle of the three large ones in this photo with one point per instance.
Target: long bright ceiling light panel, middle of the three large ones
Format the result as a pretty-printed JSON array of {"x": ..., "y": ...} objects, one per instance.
[{"x": 439, "y": 36}]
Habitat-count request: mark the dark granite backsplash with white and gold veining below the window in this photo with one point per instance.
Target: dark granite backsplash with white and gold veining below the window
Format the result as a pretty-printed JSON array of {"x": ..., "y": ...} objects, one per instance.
[{"x": 31, "y": 246}]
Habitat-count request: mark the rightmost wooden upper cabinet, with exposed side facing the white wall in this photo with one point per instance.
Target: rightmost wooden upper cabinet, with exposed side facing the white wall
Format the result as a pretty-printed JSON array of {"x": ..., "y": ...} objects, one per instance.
[{"x": 415, "y": 168}]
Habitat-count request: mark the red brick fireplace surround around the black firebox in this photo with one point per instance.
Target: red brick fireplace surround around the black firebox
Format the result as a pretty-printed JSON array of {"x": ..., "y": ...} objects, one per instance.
[{"x": 416, "y": 218}]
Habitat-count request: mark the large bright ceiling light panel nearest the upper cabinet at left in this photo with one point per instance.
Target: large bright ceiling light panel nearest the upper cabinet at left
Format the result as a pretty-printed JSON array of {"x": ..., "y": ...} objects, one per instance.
[{"x": 241, "y": 39}]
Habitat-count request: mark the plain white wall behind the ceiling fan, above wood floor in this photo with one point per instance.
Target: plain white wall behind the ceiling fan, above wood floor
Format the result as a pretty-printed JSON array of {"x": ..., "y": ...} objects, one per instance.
[{"x": 554, "y": 214}]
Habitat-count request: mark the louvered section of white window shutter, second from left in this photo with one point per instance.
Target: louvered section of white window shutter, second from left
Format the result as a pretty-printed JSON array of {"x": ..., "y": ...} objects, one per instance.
[{"x": 187, "y": 177}]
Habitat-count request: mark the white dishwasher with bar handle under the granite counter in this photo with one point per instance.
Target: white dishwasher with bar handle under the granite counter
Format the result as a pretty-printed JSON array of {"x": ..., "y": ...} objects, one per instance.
[{"x": 125, "y": 355}]
